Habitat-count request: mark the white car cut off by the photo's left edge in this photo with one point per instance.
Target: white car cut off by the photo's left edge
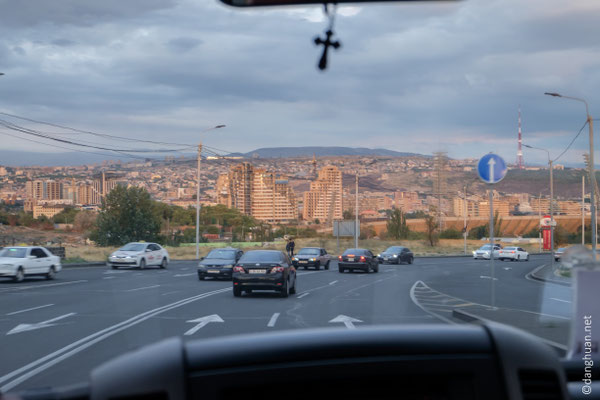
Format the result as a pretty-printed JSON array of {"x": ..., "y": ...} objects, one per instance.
[{"x": 18, "y": 262}]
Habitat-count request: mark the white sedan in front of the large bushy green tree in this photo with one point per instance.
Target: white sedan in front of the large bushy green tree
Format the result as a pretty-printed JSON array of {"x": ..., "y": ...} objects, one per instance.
[{"x": 139, "y": 254}]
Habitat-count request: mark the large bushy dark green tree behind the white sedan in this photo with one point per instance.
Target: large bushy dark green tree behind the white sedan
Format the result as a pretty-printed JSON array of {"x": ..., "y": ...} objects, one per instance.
[{"x": 126, "y": 215}]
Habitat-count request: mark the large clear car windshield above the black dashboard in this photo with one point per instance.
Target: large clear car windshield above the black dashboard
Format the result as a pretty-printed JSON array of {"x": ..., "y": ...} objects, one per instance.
[{"x": 414, "y": 133}]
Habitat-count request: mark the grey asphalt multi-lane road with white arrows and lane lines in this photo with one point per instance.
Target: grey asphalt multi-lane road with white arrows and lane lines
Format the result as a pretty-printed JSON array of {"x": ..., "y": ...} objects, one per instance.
[{"x": 54, "y": 333}]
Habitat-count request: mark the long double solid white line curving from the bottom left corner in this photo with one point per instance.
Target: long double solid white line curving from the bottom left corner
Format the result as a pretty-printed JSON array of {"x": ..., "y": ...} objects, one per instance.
[{"x": 32, "y": 369}]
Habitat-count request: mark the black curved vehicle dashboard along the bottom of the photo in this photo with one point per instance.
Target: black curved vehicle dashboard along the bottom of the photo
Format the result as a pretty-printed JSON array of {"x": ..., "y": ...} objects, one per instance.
[{"x": 436, "y": 362}]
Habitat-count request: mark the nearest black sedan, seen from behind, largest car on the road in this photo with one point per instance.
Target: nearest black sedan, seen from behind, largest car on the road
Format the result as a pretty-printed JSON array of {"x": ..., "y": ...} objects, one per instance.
[{"x": 264, "y": 270}]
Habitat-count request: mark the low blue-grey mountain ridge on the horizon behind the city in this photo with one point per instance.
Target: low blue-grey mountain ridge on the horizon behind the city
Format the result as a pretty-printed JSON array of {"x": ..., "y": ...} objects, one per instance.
[{"x": 321, "y": 151}]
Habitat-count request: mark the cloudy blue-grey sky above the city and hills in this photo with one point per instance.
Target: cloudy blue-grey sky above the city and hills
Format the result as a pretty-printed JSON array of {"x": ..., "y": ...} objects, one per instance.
[{"x": 410, "y": 77}]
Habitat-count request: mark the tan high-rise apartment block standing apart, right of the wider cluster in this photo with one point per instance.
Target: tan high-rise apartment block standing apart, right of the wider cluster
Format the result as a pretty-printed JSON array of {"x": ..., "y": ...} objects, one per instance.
[{"x": 324, "y": 199}]
